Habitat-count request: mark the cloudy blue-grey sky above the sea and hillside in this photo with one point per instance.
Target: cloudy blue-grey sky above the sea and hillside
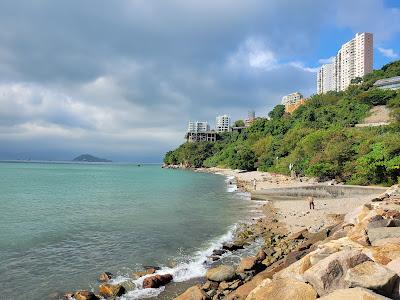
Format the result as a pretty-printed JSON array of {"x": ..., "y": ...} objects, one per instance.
[{"x": 121, "y": 79}]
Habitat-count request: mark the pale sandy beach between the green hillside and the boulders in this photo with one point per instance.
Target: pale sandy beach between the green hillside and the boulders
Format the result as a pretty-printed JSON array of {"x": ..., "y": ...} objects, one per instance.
[{"x": 295, "y": 214}]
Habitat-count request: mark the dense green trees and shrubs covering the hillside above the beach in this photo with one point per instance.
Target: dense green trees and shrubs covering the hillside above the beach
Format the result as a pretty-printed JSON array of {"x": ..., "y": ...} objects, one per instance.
[{"x": 319, "y": 139}]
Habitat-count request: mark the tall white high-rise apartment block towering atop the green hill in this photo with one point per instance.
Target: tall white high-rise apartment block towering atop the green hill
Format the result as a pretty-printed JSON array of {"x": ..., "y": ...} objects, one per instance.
[{"x": 354, "y": 59}]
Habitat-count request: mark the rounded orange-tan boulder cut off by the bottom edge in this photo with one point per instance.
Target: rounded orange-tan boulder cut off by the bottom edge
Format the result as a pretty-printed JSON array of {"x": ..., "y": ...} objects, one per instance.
[{"x": 283, "y": 289}]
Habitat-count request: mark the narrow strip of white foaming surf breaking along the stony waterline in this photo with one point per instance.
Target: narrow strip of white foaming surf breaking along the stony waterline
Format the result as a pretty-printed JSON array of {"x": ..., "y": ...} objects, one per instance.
[{"x": 202, "y": 258}]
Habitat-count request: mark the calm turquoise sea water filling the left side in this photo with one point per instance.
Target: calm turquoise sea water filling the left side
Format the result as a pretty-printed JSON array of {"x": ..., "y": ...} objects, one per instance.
[{"x": 63, "y": 224}]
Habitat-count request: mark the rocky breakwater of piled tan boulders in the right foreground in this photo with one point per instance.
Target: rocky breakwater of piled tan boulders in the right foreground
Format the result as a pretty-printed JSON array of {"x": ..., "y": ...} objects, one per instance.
[{"x": 356, "y": 258}]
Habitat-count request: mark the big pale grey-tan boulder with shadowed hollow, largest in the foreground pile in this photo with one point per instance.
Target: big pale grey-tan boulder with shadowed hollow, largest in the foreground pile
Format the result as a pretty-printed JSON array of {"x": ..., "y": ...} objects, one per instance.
[{"x": 328, "y": 274}]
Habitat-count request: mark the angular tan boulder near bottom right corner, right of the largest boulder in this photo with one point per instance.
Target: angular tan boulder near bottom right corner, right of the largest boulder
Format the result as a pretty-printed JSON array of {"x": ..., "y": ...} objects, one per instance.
[{"x": 373, "y": 276}]
